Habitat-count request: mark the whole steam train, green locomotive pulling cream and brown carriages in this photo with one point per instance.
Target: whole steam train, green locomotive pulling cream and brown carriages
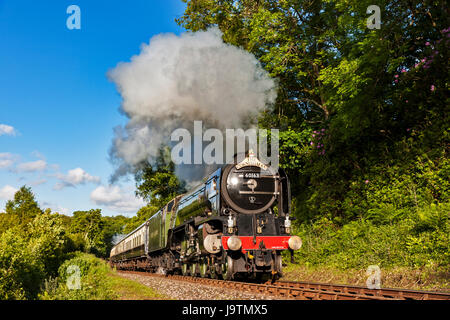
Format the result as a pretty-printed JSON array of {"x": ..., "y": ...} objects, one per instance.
[{"x": 234, "y": 225}]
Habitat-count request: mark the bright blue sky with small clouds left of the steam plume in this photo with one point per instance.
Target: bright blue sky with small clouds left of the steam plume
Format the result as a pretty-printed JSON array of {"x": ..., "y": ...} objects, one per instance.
[{"x": 57, "y": 106}]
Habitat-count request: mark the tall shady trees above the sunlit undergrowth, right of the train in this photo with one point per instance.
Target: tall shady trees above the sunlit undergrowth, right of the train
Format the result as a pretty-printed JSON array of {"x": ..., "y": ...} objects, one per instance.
[{"x": 352, "y": 101}]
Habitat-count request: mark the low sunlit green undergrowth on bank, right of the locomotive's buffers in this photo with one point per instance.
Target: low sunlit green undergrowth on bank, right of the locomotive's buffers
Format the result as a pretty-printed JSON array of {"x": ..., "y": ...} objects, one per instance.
[{"x": 421, "y": 238}]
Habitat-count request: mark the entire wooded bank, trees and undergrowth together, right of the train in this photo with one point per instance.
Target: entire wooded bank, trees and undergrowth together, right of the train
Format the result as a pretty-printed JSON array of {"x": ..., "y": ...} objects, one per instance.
[{"x": 363, "y": 117}]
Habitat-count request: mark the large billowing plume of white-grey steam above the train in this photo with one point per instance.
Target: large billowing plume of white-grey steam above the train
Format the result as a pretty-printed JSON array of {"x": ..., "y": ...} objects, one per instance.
[{"x": 178, "y": 79}]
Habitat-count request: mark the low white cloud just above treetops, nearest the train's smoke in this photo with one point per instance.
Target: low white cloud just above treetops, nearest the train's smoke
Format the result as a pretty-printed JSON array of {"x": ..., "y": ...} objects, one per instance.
[{"x": 116, "y": 199}]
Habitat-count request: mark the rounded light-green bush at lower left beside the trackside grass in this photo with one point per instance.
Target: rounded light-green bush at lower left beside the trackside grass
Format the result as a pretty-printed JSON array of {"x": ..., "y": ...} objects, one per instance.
[{"x": 94, "y": 282}]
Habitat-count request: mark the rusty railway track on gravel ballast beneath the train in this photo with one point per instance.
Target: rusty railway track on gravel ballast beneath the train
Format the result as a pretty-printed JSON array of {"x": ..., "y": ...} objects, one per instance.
[{"x": 310, "y": 290}]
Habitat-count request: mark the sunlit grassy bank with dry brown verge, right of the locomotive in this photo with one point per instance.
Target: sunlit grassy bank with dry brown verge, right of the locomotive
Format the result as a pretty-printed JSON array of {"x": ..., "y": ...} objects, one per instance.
[{"x": 412, "y": 250}]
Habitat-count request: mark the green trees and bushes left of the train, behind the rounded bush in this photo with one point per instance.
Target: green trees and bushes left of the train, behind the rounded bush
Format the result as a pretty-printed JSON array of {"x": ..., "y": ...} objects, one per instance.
[{"x": 34, "y": 244}]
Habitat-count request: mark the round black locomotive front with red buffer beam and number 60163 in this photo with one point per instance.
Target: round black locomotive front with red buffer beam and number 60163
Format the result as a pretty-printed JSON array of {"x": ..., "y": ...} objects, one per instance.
[{"x": 256, "y": 203}]
